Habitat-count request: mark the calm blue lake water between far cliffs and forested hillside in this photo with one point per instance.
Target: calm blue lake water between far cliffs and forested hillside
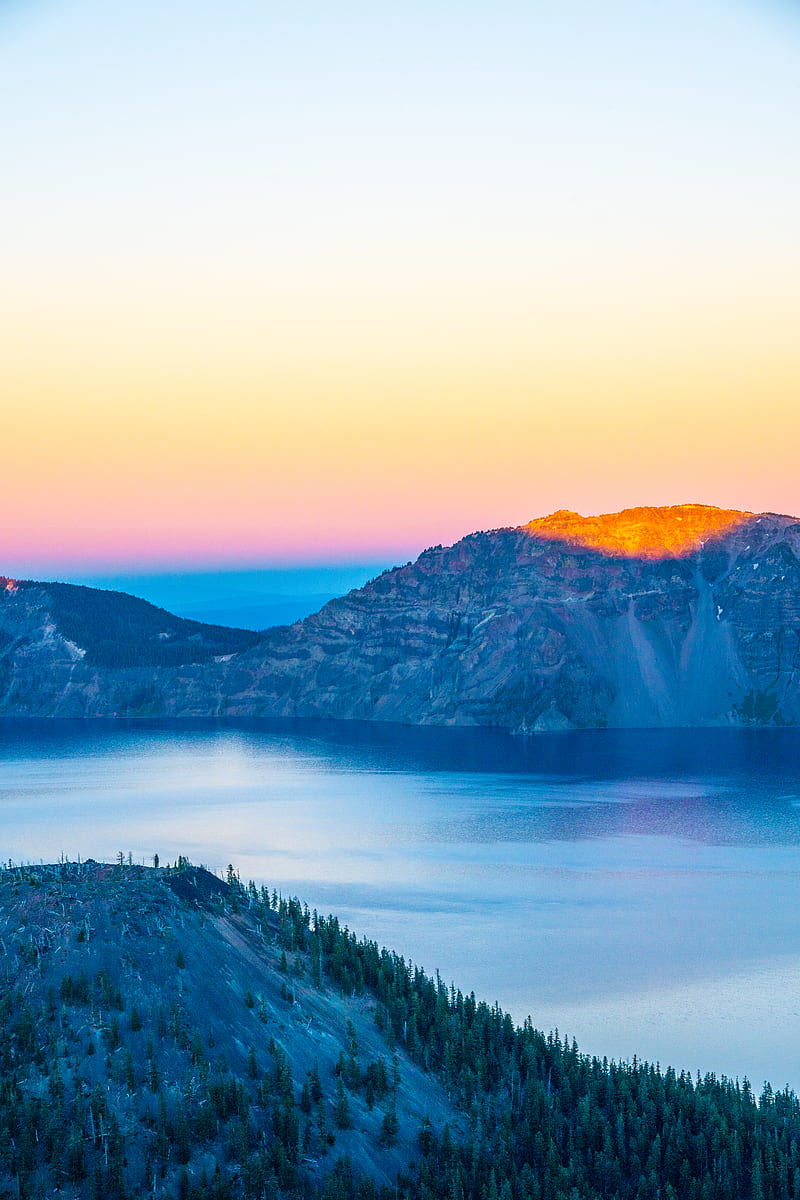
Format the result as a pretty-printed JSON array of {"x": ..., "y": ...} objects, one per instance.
[{"x": 639, "y": 891}]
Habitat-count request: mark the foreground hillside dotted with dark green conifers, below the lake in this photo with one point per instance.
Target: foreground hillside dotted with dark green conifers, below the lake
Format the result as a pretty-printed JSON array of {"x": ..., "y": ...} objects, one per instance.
[{"x": 166, "y": 1034}]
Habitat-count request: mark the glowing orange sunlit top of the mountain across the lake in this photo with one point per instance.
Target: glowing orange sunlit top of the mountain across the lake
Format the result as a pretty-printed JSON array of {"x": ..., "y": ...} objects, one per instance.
[{"x": 641, "y": 533}]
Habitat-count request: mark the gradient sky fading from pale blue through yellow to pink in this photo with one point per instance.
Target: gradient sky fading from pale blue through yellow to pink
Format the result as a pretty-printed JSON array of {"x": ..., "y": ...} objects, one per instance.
[{"x": 309, "y": 281}]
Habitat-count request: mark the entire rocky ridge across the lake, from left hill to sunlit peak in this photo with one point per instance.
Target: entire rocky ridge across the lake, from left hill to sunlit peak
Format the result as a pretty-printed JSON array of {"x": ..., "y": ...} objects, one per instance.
[{"x": 685, "y": 616}]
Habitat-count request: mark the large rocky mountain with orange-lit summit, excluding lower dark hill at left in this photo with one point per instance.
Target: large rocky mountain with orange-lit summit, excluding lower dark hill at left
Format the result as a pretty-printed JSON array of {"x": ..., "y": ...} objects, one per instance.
[{"x": 552, "y": 627}]
